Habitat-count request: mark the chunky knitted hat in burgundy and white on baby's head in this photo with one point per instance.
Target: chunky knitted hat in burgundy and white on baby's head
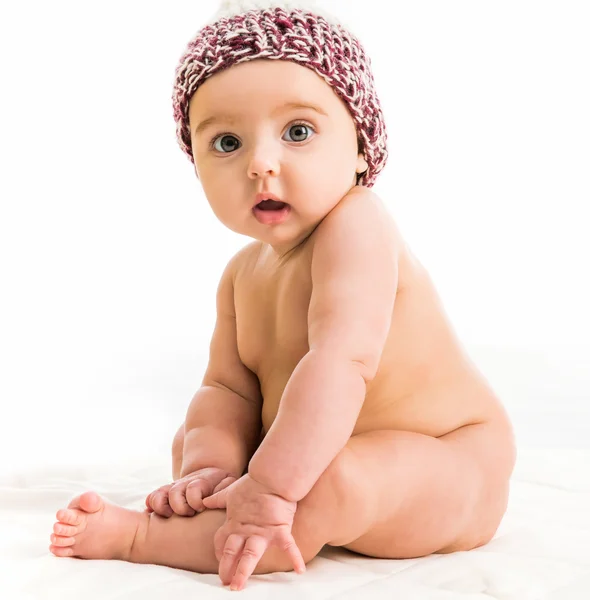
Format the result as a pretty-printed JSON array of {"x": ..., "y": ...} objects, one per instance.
[{"x": 294, "y": 30}]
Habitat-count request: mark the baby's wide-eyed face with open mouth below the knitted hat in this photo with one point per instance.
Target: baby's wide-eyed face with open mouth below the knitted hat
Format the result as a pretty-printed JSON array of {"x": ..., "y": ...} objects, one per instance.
[{"x": 260, "y": 142}]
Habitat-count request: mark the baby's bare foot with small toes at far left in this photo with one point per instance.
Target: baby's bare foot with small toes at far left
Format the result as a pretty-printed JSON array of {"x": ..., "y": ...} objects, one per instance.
[{"x": 91, "y": 527}]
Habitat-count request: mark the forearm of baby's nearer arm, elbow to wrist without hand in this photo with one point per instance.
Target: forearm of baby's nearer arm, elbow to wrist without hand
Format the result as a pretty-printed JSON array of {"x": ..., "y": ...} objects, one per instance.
[{"x": 316, "y": 417}]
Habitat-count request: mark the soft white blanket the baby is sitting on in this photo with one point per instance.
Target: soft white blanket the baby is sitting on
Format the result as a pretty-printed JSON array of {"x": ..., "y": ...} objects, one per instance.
[{"x": 540, "y": 550}]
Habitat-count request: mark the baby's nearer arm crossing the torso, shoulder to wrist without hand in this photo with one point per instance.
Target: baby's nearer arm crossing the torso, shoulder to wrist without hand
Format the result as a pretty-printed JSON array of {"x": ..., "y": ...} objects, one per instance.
[{"x": 354, "y": 276}]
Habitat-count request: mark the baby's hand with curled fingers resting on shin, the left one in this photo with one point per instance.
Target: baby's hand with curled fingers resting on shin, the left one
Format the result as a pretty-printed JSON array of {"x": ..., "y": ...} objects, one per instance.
[{"x": 185, "y": 496}]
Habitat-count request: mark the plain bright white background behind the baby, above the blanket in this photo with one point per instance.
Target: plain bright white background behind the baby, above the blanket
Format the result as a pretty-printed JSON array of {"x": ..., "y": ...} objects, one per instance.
[{"x": 110, "y": 255}]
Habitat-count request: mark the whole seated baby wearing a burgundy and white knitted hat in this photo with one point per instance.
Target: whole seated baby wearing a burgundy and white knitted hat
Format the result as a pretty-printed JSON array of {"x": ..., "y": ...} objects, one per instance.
[{"x": 338, "y": 406}]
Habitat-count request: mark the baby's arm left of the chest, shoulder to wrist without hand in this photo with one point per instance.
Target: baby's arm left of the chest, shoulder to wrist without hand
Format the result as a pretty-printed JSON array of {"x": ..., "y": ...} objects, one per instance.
[{"x": 223, "y": 421}]
